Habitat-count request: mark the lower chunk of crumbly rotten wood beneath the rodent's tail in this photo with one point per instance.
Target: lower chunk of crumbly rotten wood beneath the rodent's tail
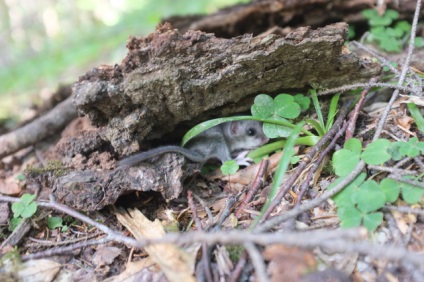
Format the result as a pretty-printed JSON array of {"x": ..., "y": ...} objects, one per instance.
[{"x": 93, "y": 190}]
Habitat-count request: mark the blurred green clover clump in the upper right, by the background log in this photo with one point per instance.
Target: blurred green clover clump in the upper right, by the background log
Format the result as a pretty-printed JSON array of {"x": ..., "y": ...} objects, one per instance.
[{"x": 388, "y": 35}]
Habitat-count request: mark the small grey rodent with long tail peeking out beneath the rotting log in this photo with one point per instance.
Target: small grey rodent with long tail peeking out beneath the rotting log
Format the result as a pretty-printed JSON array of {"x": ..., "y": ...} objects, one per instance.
[{"x": 219, "y": 142}]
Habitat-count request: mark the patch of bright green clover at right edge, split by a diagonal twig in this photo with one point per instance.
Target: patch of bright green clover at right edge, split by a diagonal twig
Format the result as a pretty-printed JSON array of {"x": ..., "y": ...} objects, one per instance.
[{"x": 359, "y": 202}]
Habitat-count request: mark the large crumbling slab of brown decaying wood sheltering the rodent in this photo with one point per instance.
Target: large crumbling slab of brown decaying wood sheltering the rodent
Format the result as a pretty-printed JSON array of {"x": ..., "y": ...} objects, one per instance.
[{"x": 169, "y": 79}]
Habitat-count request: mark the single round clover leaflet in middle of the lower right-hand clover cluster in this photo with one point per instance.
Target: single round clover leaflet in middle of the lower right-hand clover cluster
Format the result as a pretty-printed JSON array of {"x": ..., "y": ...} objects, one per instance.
[{"x": 369, "y": 197}]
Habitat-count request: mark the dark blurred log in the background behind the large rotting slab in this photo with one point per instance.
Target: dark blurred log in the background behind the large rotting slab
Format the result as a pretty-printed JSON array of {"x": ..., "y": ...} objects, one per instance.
[{"x": 261, "y": 15}]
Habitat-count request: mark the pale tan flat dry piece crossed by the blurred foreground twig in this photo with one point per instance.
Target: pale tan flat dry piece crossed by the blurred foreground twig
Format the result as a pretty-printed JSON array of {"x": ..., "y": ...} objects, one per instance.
[{"x": 176, "y": 264}]
